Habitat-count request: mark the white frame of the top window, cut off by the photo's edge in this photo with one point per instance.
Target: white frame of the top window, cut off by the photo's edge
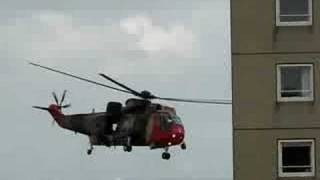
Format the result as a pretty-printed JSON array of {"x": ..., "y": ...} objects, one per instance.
[{"x": 295, "y": 23}]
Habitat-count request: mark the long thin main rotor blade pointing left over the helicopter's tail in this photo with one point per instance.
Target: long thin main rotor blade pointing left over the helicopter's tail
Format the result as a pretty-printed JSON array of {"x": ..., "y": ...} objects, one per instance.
[{"x": 80, "y": 78}]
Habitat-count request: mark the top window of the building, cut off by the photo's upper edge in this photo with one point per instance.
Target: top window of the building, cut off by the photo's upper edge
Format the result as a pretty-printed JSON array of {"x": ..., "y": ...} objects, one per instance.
[{"x": 294, "y": 12}]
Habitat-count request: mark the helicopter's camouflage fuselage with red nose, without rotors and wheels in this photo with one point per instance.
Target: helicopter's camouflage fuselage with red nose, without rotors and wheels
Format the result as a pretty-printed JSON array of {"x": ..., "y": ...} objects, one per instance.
[{"x": 157, "y": 129}]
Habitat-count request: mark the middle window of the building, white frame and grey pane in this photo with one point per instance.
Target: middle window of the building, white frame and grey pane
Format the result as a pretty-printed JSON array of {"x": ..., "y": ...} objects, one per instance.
[{"x": 294, "y": 82}]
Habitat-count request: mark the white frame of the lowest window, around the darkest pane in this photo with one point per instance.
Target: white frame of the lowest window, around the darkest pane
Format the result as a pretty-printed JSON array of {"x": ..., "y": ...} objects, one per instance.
[{"x": 296, "y": 174}]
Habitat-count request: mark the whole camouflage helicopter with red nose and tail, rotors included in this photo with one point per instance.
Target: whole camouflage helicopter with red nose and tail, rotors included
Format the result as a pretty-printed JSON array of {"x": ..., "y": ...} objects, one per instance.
[{"x": 138, "y": 122}]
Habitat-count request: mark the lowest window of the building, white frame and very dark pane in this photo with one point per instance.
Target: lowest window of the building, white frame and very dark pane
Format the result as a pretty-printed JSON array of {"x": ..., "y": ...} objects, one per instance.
[{"x": 296, "y": 158}]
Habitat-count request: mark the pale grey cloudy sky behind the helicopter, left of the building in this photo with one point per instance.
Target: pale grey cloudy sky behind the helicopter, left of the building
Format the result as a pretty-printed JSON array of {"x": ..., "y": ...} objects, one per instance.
[{"x": 175, "y": 49}]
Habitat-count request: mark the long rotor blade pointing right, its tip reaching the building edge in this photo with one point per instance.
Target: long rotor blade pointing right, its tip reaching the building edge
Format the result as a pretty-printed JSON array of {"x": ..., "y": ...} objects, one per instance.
[{"x": 203, "y": 101}]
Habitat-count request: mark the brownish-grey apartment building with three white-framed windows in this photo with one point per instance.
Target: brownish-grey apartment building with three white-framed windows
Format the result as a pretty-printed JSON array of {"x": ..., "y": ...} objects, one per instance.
[{"x": 276, "y": 89}]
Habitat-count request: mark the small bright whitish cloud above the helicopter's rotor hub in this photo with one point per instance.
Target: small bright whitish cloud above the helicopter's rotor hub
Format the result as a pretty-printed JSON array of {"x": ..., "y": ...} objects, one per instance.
[{"x": 151, "y": 38}]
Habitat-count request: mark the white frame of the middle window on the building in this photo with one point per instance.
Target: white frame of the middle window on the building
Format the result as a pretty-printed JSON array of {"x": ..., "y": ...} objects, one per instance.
[{"x": 295, "y": 99}]
